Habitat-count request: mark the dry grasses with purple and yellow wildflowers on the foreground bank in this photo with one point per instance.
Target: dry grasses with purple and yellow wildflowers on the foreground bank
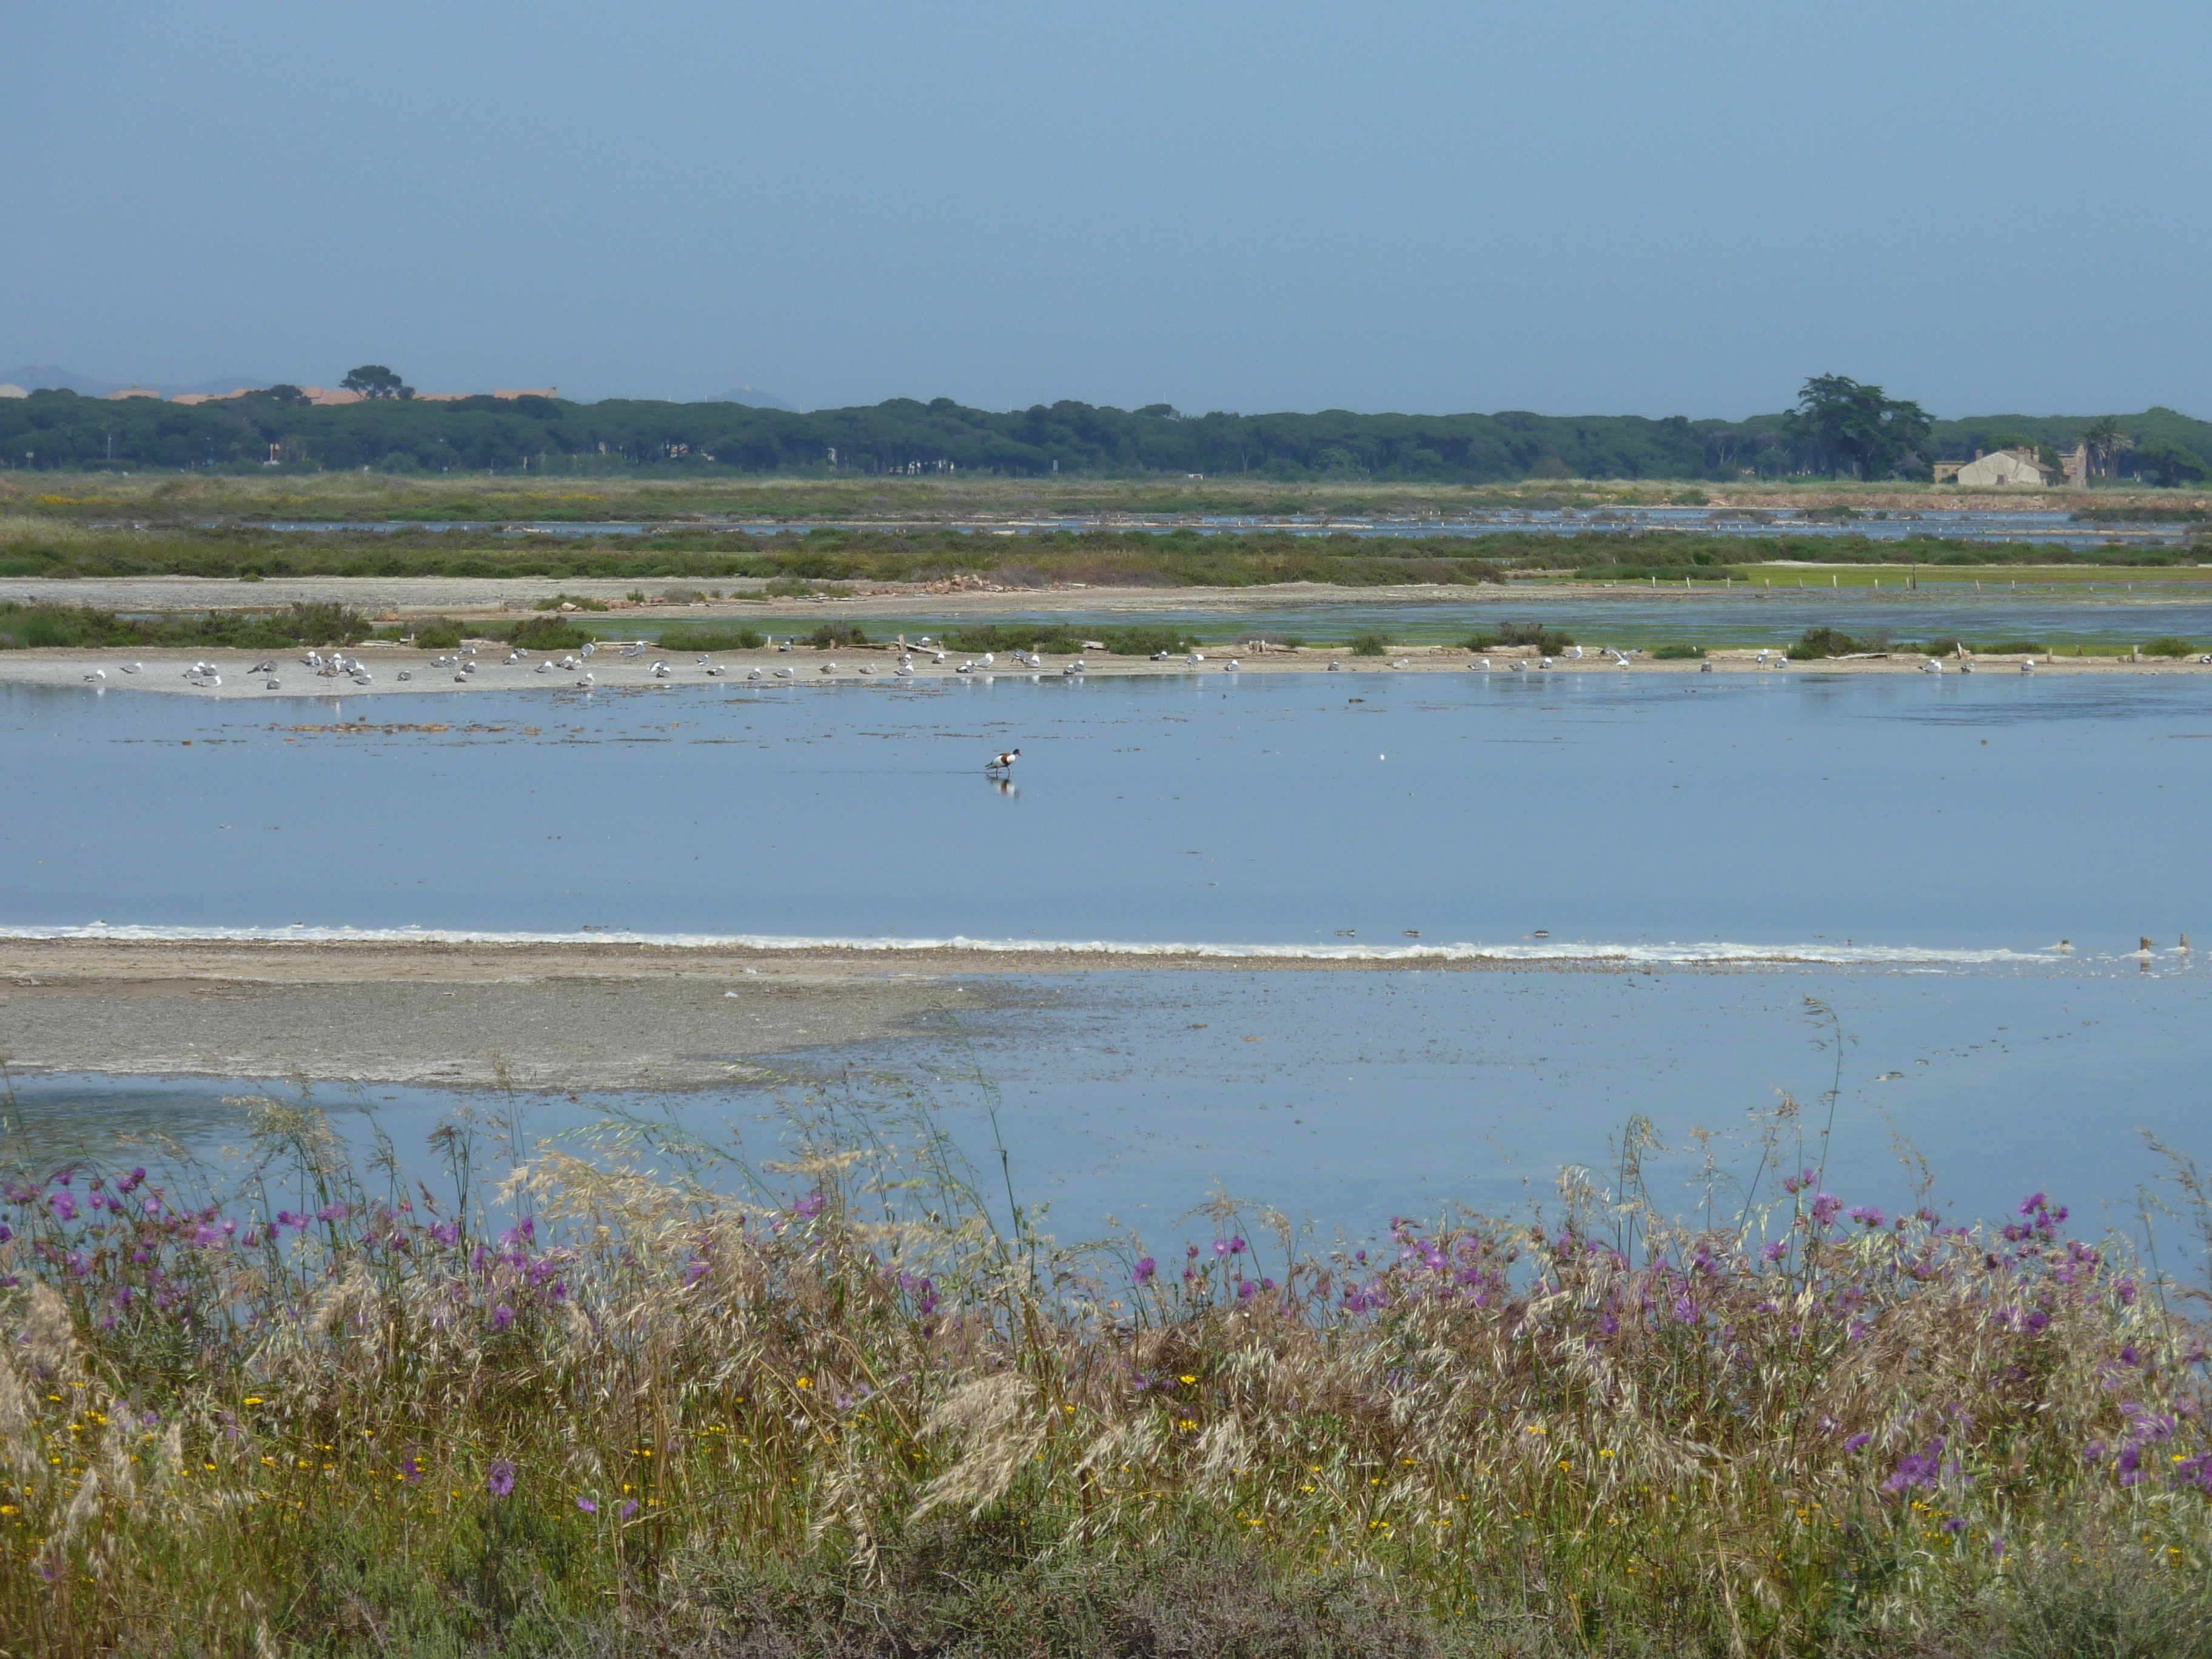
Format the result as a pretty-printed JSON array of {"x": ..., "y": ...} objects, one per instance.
[{"x": 643, "y": 1395}]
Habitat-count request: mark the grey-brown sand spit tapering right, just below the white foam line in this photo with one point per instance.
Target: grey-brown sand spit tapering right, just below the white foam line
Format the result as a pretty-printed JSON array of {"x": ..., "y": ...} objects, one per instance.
[{"x": 539, "y": 1016}]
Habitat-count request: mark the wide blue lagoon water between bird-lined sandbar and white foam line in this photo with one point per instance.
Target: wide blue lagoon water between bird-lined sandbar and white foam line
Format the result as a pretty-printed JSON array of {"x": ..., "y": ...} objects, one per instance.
[{"x": 1660, "y": 815}]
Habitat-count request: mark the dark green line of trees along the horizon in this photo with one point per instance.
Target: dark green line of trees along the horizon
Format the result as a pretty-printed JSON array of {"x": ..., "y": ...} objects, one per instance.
[{"x": 1841, "y": 428}]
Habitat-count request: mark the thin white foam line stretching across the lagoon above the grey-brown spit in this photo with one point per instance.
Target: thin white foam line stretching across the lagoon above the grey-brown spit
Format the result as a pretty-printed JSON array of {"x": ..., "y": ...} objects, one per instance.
[{"x": 1711, "y": 952}]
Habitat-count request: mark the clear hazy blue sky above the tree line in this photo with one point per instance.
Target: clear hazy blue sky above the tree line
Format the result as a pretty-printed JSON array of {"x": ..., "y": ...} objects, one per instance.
[{"x": 1572, "y": 209}]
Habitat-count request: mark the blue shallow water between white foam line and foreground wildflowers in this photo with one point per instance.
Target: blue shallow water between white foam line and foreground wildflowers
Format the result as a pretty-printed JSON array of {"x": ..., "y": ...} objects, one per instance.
[{"x": 1346, "y": 1100}]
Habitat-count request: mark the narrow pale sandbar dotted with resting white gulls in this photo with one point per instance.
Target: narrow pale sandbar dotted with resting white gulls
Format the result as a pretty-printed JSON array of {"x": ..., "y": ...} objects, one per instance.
[{"x": 755, "y": 671}]
